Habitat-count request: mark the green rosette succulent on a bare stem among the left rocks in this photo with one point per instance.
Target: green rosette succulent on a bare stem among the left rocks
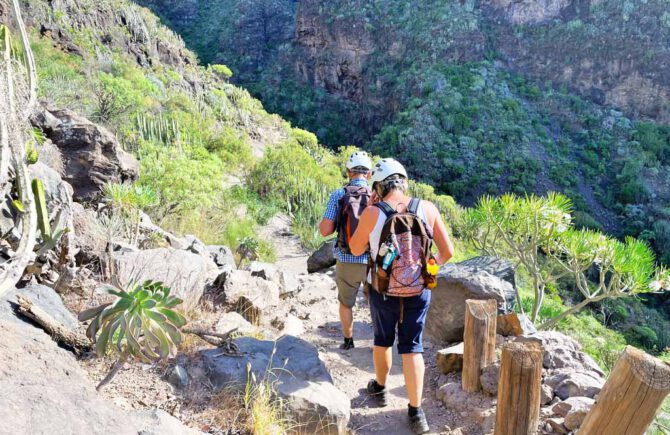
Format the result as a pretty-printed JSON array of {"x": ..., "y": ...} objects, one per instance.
[{"x": 141, "y": 324}]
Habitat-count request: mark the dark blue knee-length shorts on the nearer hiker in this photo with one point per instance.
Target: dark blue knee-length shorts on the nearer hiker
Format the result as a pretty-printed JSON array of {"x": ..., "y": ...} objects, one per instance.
[{"x": 385, "y": 313}]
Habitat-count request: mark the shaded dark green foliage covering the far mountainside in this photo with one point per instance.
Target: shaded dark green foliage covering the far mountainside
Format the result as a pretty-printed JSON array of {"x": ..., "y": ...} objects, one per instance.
[{"x": 433, "y": 93}]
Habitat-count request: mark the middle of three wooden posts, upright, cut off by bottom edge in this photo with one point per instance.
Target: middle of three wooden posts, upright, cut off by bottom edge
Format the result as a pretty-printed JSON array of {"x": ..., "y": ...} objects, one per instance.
[{"x": 519, "y": 385}]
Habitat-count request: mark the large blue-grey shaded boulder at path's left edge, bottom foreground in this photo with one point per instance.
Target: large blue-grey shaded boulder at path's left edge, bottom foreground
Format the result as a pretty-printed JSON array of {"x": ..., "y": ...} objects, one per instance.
[{"x": 293, "y": 367}]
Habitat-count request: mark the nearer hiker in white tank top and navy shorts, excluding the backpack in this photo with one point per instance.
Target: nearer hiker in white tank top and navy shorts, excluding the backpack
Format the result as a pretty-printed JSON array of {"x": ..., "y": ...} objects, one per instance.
[{"x": 389, "y": 314}]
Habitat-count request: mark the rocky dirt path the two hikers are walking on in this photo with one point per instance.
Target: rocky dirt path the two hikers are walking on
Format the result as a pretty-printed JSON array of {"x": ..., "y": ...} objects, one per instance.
[{"x": 351, "y": 370}]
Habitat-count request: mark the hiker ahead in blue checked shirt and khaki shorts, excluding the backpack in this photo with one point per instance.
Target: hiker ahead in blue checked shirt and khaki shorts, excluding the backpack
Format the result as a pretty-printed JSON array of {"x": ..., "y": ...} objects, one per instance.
[{"x": 351, "y": 270}]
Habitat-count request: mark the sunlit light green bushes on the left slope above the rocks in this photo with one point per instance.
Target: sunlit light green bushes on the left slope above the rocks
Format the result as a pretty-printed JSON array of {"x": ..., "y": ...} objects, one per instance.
[{"x": 188, "y": 127}]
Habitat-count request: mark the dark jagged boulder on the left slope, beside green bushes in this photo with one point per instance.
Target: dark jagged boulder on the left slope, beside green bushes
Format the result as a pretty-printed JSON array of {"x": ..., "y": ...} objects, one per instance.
[{"x": 92, "y": 155}]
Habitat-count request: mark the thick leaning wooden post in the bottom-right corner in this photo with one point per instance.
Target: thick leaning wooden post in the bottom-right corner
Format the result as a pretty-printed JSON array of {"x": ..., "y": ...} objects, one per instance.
[{"x": 631, "y": 396}]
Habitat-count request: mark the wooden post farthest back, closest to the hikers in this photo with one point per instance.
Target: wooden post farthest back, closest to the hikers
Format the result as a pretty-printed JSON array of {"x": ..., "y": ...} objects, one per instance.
[{"x": 479, "y": 340}]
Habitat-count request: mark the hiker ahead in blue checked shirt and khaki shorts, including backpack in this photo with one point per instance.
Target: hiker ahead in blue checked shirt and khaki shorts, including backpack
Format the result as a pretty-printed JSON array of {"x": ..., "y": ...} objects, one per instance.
[{"x": 342, "y": 215}]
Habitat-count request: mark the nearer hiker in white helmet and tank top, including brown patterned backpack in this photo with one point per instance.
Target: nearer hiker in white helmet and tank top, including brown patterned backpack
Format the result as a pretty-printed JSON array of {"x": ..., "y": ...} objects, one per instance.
[{"x": 399, "y": 231}]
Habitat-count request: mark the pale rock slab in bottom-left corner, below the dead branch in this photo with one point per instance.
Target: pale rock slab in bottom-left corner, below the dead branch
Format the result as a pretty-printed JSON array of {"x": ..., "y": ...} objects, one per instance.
[{"x": 45, "y": 391}]
